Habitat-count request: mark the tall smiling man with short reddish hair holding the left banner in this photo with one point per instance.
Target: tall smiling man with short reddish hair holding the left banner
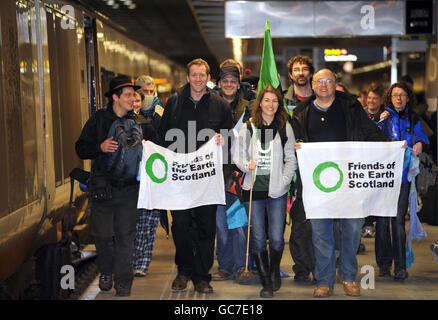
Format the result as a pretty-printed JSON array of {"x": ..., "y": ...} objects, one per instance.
[{"x": 192, "y": 109}]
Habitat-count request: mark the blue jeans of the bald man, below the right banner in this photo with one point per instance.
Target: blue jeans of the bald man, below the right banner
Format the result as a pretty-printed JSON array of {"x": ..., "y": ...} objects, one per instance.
[{"x": 324, "y": 246}]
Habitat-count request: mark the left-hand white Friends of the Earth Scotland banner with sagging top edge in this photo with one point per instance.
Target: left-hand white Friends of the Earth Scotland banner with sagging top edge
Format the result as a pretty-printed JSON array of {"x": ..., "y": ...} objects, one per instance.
[{"x": 179, "y": 181}]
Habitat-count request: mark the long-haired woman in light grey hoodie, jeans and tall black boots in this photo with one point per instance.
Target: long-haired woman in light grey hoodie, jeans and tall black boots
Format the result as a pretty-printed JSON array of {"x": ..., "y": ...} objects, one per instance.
[{"x": 265, "y": 152}]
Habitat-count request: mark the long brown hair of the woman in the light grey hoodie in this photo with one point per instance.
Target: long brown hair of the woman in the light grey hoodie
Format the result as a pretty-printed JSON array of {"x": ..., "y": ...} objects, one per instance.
[{"x": 281, "y": 115}]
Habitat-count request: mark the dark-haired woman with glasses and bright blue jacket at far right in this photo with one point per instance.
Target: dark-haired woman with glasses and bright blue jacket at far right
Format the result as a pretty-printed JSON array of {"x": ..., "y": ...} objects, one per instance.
[{"x": 401, "y": 124}]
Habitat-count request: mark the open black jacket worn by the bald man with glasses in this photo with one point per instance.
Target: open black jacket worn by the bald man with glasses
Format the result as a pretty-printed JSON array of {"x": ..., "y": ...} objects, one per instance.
[{"x": 358, "y": 126}]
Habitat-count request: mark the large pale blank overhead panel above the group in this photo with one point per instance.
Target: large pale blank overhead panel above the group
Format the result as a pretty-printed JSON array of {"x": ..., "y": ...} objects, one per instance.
[{"x": 246, "y": 19}]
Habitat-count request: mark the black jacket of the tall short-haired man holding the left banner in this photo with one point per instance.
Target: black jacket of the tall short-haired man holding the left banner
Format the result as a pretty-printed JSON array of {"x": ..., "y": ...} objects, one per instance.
[{"x": 212, "y": 112}]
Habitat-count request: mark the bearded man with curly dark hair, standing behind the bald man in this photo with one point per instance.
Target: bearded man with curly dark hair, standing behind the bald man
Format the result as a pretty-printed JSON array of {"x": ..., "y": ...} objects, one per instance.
[{"x": 300, "y": 70}]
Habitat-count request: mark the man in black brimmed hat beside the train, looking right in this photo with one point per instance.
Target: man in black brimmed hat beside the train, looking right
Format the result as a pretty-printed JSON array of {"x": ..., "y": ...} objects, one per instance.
[{"x": 113, "y": 221}]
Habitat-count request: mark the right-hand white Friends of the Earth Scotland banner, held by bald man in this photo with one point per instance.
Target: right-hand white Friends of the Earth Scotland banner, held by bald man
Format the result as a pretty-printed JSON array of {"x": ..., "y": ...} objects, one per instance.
[{"x": 350, "y": 179}]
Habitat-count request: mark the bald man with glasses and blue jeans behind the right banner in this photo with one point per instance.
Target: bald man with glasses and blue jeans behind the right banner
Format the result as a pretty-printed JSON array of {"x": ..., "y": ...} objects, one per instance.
[{"x": 331, "y": 115}]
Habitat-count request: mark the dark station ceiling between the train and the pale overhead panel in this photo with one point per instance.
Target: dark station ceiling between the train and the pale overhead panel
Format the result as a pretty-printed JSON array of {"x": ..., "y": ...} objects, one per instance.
[{"x": 170, "y": 27}]
